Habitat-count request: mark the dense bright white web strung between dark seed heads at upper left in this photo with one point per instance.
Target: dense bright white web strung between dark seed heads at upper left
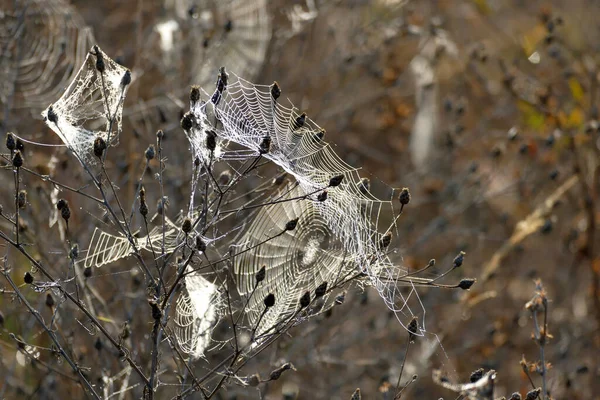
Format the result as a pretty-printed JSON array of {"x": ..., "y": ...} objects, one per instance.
[{"x": 91, "y": 106}]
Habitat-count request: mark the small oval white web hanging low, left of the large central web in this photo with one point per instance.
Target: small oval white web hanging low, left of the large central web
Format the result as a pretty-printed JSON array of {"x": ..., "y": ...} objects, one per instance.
[{"x": 197, "y": 312}]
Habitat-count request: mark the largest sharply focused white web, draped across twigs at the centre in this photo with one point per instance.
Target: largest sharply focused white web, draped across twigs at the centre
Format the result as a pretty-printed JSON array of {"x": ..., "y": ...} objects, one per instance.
[{"x": 348, "y": 225}]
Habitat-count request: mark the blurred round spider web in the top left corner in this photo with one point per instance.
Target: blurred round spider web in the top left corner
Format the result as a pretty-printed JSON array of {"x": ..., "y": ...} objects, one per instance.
[{"x": 41, "y": 42}]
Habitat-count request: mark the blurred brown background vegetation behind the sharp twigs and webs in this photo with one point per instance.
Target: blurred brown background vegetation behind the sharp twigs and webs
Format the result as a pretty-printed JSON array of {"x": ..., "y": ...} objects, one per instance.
[{"x": 486, "y": 110}]
